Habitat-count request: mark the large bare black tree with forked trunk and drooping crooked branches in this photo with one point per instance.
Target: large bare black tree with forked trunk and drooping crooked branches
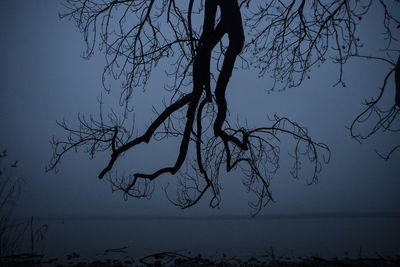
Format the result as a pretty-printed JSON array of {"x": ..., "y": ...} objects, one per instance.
[{"x": 284, "y": 39}]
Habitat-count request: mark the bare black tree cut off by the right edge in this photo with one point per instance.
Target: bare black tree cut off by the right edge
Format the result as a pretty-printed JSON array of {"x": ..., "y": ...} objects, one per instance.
[{"x": 377, "y": 118}]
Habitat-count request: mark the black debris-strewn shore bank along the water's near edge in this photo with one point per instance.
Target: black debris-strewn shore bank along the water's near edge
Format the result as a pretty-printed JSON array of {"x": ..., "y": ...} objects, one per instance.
[{"x": 185, "y": 259}]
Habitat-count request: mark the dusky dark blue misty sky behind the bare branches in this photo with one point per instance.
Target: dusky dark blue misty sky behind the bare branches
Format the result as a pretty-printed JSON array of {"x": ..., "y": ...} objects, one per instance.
[{"x": 44, "y": 79}]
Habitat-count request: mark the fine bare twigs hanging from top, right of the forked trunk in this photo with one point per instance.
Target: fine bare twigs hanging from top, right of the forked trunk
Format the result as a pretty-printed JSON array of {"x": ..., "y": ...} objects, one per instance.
[{"x": 288, "y": 38}]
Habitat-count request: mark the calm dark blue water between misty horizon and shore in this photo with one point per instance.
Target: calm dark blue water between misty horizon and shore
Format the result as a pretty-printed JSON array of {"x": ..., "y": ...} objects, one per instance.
[{"x": 325, "y": 236}]
